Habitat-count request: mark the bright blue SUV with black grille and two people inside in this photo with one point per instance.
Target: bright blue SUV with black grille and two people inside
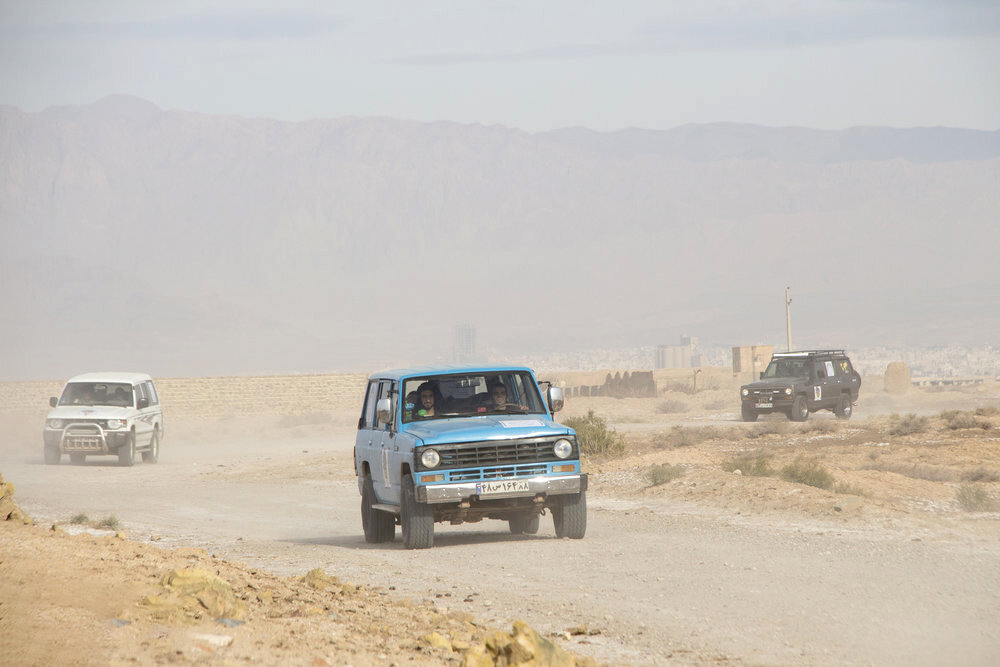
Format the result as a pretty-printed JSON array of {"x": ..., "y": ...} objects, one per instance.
[{"x": 462, "y": 445}]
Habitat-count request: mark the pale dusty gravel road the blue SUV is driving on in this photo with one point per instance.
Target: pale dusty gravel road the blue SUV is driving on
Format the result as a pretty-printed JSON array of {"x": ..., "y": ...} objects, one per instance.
[{"x": 658, "y": 579}]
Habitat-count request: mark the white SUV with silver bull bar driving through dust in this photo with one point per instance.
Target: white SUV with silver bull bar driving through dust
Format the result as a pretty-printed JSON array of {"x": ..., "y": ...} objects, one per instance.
[{"x": 105, "y": 413}]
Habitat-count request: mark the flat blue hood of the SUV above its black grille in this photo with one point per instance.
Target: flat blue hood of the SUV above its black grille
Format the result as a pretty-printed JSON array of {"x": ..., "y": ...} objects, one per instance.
[{"x": 493, "y": 427}]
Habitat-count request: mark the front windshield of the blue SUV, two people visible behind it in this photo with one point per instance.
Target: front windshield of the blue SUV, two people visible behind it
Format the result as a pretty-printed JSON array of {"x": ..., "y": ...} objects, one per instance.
[{"x": 470, "y": 395}]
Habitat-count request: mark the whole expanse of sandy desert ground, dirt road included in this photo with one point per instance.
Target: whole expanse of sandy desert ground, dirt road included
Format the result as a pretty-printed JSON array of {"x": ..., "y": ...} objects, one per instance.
[{"x": 885, "y": 567}]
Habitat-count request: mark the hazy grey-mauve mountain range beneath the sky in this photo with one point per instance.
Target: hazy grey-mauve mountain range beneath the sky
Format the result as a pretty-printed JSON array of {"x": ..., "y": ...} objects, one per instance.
[{"x": 440, "y": 223}]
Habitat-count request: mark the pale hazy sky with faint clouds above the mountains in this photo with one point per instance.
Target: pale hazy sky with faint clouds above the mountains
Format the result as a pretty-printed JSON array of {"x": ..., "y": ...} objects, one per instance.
[{"x": 532, "y": 65}]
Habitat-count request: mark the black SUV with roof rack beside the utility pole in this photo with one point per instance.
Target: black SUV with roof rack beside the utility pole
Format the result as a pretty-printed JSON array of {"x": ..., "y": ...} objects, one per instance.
[{"x": 797, "y": 383}]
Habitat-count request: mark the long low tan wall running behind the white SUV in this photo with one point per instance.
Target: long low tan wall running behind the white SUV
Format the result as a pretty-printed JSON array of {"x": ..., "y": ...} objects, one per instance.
[{"x": 218, "y": 396}]
